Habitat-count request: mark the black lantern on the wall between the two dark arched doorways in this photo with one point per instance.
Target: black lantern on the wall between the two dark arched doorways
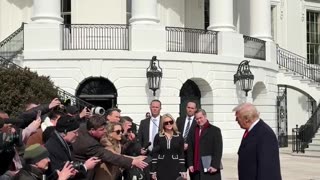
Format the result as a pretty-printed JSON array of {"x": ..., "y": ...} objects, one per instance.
[{"x": 154, "y": 75}]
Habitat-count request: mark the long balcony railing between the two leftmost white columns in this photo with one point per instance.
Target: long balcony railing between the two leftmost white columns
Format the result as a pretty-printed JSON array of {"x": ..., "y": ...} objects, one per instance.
[{"x": 95, "y": 37}]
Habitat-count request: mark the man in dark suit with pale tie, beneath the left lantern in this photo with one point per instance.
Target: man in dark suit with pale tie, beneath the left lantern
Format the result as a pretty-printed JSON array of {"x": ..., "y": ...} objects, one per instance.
[{"x": 149, "y": 127}]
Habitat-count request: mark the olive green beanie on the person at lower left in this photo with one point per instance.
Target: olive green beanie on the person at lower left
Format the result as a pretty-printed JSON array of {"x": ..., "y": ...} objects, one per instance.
[{"x": 35, "y": 153}]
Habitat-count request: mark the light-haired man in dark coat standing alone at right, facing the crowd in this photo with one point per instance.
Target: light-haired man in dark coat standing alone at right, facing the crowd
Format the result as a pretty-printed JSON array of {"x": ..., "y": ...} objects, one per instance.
[{"x": 259, "y": 150}]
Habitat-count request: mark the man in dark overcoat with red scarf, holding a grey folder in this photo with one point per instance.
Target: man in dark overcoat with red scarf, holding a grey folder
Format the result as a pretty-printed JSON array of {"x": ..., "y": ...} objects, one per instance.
[{"x": 205, "y": 149}]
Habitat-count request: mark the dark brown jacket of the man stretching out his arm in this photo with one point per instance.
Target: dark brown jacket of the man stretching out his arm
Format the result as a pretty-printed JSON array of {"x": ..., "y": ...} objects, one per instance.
[{"x": 87, "y": 146}]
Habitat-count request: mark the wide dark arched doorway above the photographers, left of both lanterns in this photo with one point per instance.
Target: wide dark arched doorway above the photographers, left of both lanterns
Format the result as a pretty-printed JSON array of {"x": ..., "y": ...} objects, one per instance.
[{"x": 98, "y": 91}]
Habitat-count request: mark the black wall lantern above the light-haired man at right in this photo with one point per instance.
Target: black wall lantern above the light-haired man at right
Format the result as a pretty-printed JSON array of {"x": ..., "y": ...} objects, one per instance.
[{"x": 244, "y": 76}]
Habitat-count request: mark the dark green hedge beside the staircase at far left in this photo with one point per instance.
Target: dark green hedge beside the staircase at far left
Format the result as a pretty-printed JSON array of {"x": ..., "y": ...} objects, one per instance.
[{"x": 21, "y": 86}]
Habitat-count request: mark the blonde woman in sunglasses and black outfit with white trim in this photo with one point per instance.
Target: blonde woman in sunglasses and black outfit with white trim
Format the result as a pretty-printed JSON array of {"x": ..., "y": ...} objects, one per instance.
[{"x": 168, "y": 153}]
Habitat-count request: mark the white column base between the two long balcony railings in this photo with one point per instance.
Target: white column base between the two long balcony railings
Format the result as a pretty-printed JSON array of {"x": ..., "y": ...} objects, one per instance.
[{"x": 144, "y": 12}]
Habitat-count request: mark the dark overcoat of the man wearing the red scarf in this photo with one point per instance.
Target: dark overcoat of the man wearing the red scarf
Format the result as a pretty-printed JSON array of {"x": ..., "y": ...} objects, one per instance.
[{"x": 210, "y": 144}]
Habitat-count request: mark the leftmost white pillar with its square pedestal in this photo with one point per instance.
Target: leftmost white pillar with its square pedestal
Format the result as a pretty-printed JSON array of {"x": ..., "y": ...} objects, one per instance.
[{"x": 44, "y": 32}]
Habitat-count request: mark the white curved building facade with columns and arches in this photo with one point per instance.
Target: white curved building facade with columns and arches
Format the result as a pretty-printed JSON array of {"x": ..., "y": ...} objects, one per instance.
[{"x": 100, "y": 51}]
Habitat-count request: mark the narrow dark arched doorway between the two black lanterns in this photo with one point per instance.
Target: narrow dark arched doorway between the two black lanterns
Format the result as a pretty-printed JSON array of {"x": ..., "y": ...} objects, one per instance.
[{"x": 189, "y": 92}]
